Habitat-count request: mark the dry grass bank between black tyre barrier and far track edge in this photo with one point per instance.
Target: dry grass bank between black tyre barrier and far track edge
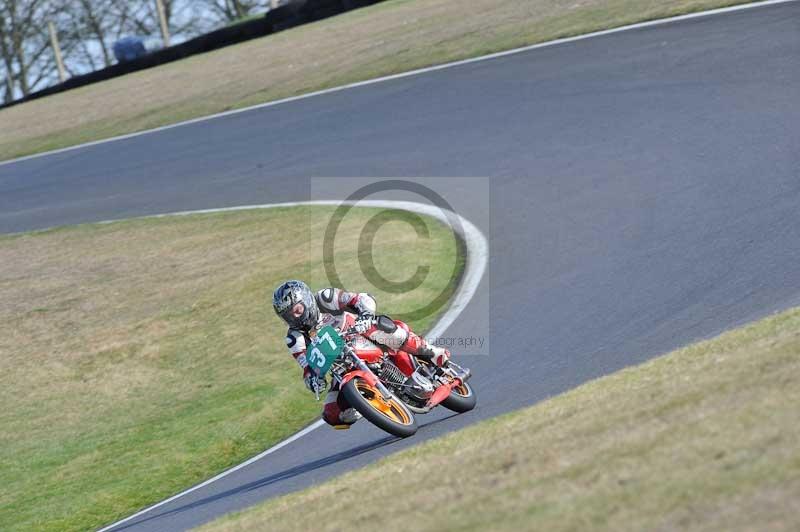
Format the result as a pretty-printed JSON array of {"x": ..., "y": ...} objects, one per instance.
[{"x": 392, "y": 37}]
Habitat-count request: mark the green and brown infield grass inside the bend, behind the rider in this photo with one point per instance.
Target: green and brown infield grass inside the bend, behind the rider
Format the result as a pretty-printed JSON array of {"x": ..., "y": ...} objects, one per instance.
[{"x": 138, "y": 358}]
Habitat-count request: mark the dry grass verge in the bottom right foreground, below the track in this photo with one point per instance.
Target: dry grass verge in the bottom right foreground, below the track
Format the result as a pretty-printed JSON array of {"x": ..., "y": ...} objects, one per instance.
[{"x": 705, "y": 438}]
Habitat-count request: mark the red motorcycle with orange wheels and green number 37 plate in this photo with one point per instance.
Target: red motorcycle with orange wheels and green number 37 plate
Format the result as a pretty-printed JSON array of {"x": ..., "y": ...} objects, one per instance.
[{"x": 374, "y": 385}]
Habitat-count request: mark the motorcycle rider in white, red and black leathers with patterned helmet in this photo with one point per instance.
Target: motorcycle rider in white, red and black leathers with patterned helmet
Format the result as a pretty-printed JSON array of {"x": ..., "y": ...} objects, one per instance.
[{"x": 303, "y": 310}]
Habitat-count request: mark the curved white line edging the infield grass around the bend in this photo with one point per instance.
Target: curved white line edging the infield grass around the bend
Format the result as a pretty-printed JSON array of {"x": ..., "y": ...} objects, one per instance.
[{"x": 476, "y": 261}]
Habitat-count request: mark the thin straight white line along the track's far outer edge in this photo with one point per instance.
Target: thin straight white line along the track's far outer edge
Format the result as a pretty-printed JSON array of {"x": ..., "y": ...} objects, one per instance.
[{"x": 412, "y": 73}]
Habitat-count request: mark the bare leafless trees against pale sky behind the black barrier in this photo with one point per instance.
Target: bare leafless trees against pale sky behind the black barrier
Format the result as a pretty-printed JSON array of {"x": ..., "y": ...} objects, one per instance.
[{"x": 87, "y": 30}]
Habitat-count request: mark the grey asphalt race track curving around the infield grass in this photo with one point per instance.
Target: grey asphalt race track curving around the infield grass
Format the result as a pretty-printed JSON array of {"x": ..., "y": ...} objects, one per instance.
[{"x": 645, "y": 192}]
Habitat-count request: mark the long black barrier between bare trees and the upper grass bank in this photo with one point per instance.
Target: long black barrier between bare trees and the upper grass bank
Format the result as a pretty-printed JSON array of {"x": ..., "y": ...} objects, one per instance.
[{"x": 295, "y": 13}]
